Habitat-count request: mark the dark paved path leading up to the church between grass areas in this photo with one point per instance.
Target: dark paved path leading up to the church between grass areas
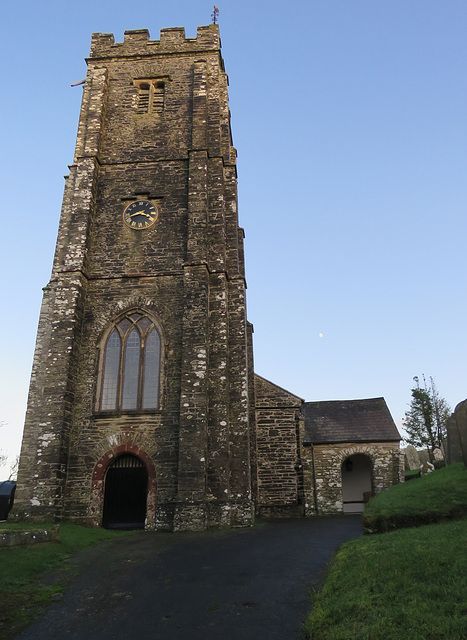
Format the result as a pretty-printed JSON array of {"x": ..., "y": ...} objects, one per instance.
[{"x": 246, "y": 584}]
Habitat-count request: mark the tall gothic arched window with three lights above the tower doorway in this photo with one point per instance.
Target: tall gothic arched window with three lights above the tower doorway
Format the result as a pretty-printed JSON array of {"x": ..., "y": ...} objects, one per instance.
[{"x": 131, "y": 365}]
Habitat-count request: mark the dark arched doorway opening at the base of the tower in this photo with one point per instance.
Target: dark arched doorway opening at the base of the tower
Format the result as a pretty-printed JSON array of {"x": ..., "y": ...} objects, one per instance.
[{"x": 125, "y": 493}]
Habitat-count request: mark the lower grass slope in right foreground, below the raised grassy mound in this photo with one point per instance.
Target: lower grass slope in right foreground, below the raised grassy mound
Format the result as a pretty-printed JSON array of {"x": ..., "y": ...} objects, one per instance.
[{"x": 403, "y": 584}]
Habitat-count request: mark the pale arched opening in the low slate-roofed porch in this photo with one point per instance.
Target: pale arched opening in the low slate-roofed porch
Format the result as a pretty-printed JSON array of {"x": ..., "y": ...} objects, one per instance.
[{"x": 356, "y": 482}]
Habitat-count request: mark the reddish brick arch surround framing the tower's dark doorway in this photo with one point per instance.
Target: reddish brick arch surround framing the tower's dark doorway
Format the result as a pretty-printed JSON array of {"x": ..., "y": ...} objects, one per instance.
[{"x": 98, "y": 483}]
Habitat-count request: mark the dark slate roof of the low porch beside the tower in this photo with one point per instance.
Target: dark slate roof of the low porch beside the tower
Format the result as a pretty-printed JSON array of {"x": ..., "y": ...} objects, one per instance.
[{"x": 335, "y": 421}]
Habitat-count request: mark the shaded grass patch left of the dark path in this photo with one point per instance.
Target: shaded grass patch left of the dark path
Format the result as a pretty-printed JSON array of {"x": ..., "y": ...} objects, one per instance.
[{"x": 23, "y": 591}]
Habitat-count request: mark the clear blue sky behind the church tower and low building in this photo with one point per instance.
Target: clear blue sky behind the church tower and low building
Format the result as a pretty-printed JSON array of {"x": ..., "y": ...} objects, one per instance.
[{"x": 349, "y": 117}]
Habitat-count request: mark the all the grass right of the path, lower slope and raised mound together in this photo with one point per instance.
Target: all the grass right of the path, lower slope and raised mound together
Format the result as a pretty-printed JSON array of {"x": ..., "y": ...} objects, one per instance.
[{"x": 406, "y": 583}]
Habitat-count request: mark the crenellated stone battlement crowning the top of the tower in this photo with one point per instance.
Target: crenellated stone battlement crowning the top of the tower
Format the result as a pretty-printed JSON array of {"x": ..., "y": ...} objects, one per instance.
[{"x": 137, "y": 42}]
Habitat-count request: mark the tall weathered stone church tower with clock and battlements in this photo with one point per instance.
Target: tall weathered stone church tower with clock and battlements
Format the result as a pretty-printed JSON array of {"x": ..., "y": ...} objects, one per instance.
[{"x": 138, "y": 408}]
